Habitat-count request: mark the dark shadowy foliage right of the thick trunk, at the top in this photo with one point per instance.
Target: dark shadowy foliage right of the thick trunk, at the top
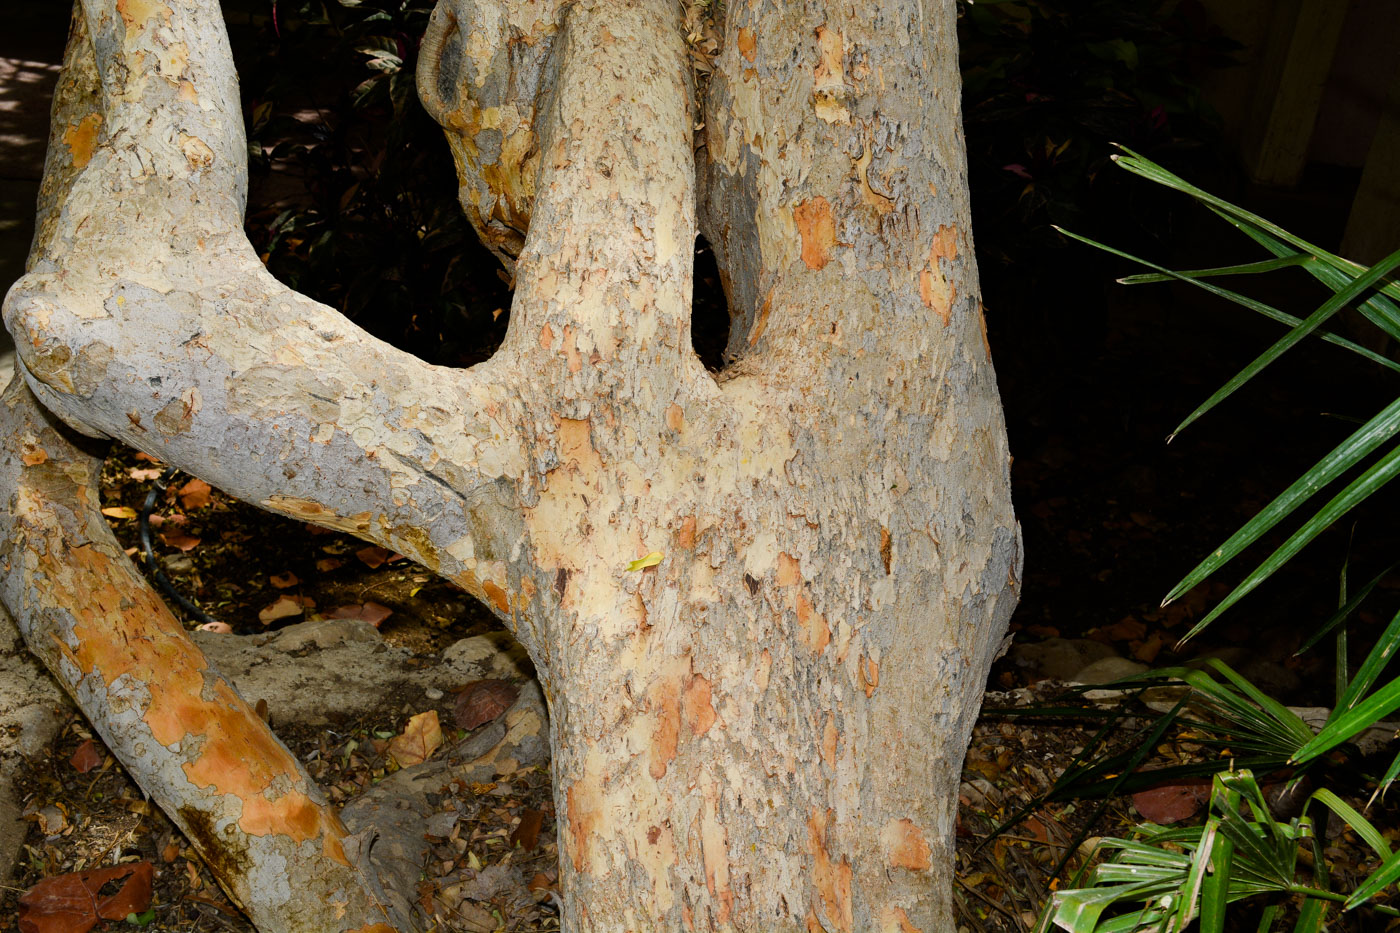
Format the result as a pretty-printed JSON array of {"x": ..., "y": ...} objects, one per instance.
[{"x": 1049, "y": 85}]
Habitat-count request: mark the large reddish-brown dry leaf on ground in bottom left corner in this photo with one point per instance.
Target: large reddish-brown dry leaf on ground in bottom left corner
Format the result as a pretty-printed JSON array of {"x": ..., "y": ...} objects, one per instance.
[{"x": 73, "y": 903}]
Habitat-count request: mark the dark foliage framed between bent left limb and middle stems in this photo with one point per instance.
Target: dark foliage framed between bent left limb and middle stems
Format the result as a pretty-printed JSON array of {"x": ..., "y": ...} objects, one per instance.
[{"x": 353, "y": 188}]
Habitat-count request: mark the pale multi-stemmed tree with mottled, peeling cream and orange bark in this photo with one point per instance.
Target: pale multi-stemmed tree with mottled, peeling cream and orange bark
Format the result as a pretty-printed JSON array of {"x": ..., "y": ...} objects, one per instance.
[{"x": 764, "y": 732}]
